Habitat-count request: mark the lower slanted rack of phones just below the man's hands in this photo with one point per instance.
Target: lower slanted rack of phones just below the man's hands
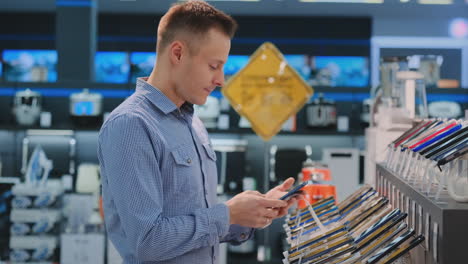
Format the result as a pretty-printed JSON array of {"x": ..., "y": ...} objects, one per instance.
[{"x": 363, "y": 228}]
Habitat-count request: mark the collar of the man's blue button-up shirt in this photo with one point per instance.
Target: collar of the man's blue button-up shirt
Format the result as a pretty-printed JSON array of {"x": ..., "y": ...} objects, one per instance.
[{"x": 159, "y": 99}]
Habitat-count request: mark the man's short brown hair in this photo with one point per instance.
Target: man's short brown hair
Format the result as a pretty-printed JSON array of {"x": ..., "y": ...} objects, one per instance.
[{"x": 193, "y": 17}]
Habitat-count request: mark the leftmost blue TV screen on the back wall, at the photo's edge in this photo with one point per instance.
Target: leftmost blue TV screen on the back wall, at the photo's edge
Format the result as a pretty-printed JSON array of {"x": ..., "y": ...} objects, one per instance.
[{"x": 30, "y": 65}]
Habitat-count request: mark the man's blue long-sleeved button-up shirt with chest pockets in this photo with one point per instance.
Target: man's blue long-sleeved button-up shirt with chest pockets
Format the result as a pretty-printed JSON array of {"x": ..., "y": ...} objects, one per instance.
[{"x": 159, "y": 183}]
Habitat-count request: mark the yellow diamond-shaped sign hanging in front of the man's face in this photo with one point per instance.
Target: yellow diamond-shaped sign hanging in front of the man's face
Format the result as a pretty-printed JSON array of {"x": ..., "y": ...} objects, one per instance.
[{"x": 267, "y": 91}]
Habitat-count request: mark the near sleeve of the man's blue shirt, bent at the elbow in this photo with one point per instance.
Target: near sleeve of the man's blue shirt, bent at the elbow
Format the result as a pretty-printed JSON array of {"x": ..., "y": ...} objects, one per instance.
[{"x": 132, "y": 179}]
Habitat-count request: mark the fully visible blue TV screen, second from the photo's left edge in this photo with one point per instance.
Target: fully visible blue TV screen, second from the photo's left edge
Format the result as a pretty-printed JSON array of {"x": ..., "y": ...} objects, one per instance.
[{"x": 111, "y": 67}]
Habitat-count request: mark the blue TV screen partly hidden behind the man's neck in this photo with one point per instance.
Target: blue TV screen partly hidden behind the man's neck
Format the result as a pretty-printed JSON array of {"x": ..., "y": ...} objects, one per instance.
[{"x": 141, "y": 64}]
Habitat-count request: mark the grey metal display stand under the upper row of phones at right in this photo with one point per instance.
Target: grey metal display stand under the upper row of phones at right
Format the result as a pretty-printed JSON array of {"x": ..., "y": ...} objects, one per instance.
[{"x": 443, "y": 222}]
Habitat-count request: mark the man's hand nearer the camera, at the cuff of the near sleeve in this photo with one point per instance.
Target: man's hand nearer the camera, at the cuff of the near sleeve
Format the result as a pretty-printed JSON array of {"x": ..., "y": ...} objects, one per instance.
[{"x": 253, "y": 209}]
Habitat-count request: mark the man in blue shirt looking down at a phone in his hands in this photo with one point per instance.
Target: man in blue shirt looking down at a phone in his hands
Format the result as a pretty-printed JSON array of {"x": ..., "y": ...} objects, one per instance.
[{"x": 158, "y": 167}]
